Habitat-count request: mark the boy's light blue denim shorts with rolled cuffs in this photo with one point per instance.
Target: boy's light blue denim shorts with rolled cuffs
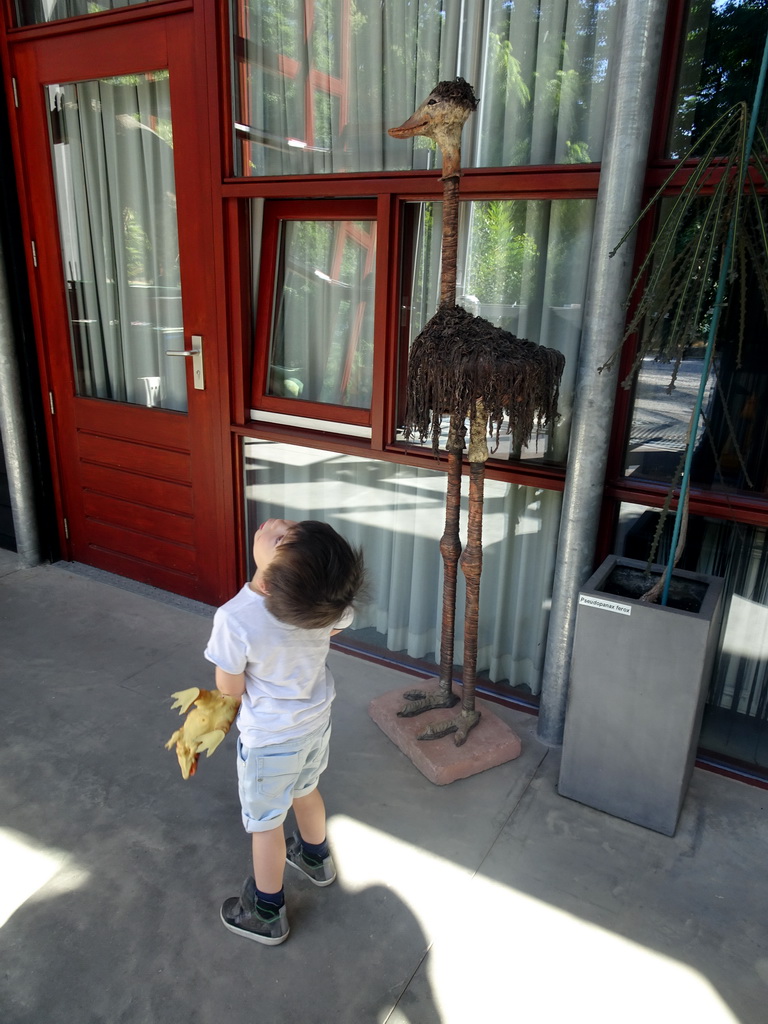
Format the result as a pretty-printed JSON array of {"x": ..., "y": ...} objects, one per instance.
[{"x": 270, "y": 778}]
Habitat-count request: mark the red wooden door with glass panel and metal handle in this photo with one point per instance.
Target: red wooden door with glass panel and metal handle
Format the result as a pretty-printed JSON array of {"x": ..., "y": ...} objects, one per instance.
[{"x": 118, "y": 188}]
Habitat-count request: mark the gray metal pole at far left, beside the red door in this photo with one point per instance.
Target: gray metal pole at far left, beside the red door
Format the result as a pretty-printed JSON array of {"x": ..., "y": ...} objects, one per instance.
[{"x": 16, "y": 441}]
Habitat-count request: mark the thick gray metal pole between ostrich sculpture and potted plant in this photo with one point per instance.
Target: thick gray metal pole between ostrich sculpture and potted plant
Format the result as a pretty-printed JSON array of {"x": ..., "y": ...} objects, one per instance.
[{"x": 619, "y": 203}]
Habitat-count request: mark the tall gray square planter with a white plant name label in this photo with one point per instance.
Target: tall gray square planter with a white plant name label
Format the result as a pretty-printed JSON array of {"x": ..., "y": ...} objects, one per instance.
[{"x": 638, "y": 685}]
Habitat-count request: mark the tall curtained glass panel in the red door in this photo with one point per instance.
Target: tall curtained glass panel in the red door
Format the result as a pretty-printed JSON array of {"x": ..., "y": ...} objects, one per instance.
[{"x": 113, "y": 163}]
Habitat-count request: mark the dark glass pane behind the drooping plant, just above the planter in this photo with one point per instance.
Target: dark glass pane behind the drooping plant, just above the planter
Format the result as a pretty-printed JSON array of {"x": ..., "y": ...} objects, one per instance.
[{"x": 732, "y": 436}]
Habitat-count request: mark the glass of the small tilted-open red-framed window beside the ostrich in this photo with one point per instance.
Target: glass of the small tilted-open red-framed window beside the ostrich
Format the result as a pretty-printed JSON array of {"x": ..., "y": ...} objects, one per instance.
[{"x": 322, "y": 347}]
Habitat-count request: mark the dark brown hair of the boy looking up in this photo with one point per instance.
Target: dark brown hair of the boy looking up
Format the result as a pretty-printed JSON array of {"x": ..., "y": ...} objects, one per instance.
[{"x": 315, "y": 577}]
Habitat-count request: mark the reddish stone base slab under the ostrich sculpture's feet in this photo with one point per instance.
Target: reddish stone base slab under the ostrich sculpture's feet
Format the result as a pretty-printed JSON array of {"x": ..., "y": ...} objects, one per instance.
[{"x": 492, "y": 742}]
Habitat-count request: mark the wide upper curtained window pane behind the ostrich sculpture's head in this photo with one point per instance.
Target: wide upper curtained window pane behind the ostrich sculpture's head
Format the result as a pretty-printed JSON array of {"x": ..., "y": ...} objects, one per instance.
[{"x": 317, "y": 87}]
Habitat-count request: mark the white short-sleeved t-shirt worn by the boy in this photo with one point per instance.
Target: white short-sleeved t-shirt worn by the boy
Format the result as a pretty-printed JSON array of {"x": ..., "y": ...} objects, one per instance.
[{"x": 289, "y": 688}]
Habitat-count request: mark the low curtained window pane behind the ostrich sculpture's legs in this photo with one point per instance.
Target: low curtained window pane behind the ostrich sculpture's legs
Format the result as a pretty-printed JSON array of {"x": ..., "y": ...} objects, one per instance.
[{"x": 397, "y": 514}]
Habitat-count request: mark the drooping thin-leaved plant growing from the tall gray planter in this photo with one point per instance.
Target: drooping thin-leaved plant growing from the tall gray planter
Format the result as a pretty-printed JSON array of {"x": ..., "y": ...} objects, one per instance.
[{"x": 714, "y": 235}]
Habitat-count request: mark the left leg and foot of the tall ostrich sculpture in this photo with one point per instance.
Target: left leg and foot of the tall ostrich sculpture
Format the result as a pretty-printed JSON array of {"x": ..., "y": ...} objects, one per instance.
[{"x": 451, "y": 550}]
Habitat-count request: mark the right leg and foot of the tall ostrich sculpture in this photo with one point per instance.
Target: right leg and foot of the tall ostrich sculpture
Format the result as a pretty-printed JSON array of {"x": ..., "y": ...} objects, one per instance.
[{"x": 472, "y": 563}]
